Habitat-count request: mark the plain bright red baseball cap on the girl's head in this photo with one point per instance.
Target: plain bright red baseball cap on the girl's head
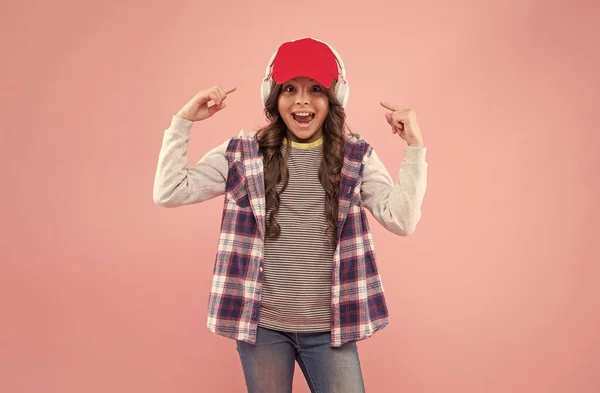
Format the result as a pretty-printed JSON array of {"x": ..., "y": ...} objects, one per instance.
[{"x": 305, "y": 57}]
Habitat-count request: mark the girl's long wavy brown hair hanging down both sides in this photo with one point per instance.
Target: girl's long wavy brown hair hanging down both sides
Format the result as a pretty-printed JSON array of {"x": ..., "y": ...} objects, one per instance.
[{"x": 271, "y": 139}]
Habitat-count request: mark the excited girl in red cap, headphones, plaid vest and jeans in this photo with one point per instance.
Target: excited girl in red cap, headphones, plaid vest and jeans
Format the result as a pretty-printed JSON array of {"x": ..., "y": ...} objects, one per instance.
[{"x": 295, "y": 276}]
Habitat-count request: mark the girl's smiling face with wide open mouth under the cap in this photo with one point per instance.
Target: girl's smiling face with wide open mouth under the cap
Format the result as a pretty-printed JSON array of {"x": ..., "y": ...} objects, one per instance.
[{"x": 303, "y": 105}]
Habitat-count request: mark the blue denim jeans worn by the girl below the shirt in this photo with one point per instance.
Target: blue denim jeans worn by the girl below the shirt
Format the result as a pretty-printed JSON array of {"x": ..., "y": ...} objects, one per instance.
[{"x": 269, "y": 365}]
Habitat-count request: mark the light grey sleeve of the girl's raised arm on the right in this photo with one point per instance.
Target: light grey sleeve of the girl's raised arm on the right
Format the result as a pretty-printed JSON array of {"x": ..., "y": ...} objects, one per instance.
[{"x": 396, "y": 206}]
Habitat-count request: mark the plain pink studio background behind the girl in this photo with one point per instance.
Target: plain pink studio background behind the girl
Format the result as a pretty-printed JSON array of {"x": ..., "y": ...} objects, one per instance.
[{"x": 497, "y": 290}]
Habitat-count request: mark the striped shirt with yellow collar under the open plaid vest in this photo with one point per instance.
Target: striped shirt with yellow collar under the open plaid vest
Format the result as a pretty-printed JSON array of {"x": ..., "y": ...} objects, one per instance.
[{"x": 298, "y": 264}]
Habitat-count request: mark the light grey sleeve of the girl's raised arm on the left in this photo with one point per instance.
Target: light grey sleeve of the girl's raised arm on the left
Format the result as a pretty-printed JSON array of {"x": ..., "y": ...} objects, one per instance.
[{"x": 174, "y": 183}]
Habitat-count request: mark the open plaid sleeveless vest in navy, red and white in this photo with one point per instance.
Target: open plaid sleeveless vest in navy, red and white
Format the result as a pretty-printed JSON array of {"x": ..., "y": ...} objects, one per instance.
[{"x": 358, "y": 306}]
